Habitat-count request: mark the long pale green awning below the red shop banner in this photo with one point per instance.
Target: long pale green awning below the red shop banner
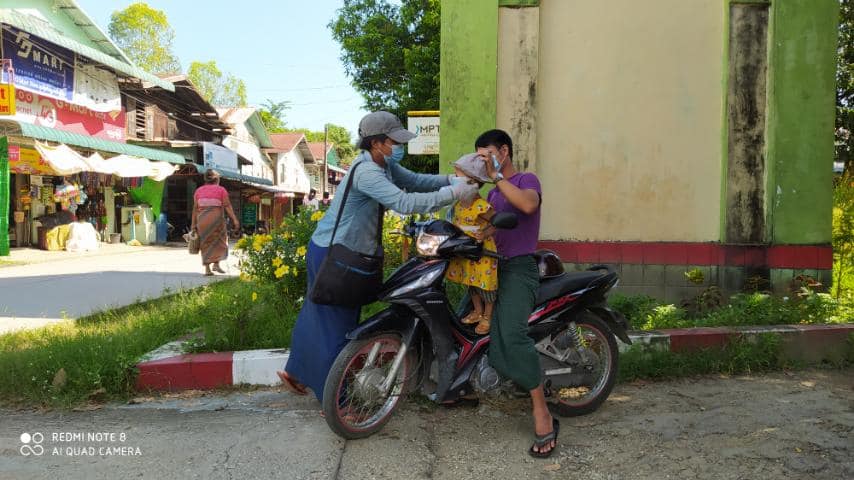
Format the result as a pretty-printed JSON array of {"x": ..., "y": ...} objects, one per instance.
[{"x": 51, "y": 134}]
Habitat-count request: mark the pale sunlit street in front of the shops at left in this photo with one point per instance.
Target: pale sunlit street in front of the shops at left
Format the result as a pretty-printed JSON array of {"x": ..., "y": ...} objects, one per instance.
[{"x": 69, "y": 286}]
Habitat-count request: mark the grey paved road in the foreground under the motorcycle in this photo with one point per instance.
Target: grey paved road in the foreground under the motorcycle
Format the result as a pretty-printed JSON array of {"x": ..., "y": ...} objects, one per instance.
[{"x": 780, "y": 426}]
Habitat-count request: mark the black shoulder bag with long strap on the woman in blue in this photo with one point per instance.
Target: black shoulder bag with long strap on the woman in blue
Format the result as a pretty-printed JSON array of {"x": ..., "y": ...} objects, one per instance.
[{"x": 346, "y": 277}]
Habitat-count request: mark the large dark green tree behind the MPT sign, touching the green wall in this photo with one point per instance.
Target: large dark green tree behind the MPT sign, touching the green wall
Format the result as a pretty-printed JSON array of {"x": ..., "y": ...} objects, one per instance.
[{"x": 391, "y": 52}]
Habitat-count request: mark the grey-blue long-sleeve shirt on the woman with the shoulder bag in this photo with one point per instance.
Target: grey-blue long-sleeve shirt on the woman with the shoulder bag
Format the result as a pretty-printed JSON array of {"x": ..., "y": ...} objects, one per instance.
[{"x": 372, "y": 186}]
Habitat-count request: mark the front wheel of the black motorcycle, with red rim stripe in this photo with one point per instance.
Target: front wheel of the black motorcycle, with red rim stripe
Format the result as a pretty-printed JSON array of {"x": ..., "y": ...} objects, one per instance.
[{"x": 354, "y": 403}]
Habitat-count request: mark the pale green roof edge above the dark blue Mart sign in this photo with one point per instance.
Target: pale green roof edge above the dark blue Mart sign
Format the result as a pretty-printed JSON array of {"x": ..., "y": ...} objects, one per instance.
[{"x": 38, "y": 28}]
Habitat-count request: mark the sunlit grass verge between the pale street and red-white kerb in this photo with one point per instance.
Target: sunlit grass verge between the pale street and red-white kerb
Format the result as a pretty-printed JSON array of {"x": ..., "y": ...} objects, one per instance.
[{"x": 98, "y": 352}]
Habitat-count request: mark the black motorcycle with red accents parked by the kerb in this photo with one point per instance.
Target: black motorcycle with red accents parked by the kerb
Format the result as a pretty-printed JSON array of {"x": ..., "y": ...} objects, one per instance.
[{"x": 419, "y": 342}]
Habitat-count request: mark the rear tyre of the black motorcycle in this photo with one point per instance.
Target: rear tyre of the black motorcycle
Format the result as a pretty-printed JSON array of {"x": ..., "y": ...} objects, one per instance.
[{"x": 595, "y": 335}]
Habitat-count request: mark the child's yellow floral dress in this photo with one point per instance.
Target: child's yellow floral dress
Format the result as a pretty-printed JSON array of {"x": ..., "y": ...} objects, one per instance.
[{"x": 482, "y": 274}]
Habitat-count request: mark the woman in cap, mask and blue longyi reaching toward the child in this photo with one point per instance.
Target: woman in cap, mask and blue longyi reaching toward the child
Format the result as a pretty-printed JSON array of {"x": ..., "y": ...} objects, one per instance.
[{"x": 318, "y": 335}]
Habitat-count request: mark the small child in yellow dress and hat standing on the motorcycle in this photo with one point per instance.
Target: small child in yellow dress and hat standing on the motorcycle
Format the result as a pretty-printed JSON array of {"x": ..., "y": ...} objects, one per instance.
[{"x": 472, "y": 215}]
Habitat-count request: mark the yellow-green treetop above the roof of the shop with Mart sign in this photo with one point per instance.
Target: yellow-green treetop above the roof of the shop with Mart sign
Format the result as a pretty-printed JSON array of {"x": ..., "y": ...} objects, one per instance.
[{"x": 144, "y": 34}]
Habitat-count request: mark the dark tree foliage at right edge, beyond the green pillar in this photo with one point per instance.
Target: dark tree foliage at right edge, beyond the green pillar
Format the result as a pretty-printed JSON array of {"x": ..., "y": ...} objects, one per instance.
[{"x": 845, "y": 86}]
